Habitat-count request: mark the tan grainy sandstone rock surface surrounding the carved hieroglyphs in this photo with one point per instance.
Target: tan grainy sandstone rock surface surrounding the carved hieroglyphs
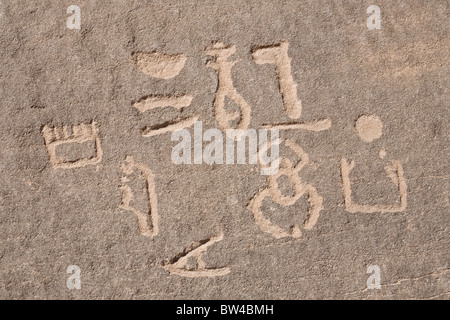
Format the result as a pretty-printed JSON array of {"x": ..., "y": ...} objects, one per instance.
[{"x": 52, "y": 218}]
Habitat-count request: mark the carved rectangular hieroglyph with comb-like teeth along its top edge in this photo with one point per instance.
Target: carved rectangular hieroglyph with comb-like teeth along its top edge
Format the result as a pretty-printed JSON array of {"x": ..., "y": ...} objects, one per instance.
[{"x": 81, "y": 133}]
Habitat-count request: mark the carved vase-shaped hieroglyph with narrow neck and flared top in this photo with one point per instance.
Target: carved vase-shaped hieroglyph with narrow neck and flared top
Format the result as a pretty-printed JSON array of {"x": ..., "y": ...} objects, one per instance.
[{"x": 225, "y": 88}]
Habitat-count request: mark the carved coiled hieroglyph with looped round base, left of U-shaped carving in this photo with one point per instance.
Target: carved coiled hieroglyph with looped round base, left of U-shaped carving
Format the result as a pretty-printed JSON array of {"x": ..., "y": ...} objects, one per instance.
[{"x": 273, "y": 192}]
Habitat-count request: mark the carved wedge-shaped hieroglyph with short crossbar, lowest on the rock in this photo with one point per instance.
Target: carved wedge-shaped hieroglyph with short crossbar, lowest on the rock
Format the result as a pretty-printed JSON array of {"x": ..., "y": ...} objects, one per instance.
[{"x": 180, "y": 264}]
